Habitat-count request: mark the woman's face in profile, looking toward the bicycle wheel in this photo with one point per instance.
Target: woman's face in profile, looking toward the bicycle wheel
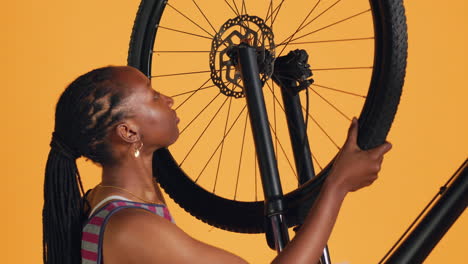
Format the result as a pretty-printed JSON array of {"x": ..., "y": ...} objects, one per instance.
[{"x": 151, "y": 110}]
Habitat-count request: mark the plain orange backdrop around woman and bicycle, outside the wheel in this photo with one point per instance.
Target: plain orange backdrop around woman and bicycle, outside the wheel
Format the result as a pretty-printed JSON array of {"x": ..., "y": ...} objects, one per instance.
[{"x": 46, "y": 44}]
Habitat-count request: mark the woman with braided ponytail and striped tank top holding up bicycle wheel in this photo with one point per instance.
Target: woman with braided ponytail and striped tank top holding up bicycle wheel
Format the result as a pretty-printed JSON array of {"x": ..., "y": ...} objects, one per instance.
[{"x": 113, "y": 117}]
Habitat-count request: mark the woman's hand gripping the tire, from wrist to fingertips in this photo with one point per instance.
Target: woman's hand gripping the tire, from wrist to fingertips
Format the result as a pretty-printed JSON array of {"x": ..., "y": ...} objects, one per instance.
[{"x": 355, "y": 168}]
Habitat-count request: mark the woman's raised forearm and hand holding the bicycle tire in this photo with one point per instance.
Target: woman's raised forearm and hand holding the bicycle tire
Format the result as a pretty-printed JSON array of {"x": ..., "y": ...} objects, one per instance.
[{"x": 353, "y": 169}]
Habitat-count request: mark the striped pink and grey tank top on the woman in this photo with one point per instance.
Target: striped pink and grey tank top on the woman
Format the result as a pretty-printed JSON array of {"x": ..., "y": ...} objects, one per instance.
[{"x": 93, "y": 229}]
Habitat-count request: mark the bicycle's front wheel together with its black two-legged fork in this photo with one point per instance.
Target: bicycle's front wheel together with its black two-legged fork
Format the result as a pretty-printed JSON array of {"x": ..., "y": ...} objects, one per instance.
[{"x": 244, "y": 59}]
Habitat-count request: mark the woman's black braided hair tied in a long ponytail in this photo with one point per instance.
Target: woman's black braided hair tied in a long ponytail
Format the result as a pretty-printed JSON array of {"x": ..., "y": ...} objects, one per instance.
[{"x": 85, "y": 112}]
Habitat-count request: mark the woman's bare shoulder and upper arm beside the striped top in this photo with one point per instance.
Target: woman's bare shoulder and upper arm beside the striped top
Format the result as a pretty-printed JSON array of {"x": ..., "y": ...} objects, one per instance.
[{"x": 136, "y": 236}]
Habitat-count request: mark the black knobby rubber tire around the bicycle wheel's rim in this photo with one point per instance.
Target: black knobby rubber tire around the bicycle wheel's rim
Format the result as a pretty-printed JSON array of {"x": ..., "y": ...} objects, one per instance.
[{"x": 374, "y": 122}]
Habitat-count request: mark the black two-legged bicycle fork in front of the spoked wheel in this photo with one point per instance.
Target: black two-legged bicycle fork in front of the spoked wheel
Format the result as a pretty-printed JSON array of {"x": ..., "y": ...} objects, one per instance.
[{"x": 274, "y": 205}]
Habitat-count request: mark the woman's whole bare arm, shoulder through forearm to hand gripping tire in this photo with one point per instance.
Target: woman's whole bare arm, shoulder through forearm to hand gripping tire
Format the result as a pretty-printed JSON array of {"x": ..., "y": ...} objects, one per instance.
[{"x": 137, "y": 236}]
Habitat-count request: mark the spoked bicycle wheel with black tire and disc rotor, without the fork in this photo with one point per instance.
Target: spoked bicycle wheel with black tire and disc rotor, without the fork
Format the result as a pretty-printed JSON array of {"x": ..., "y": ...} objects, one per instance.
[{"x": 357, "y": 52}]
